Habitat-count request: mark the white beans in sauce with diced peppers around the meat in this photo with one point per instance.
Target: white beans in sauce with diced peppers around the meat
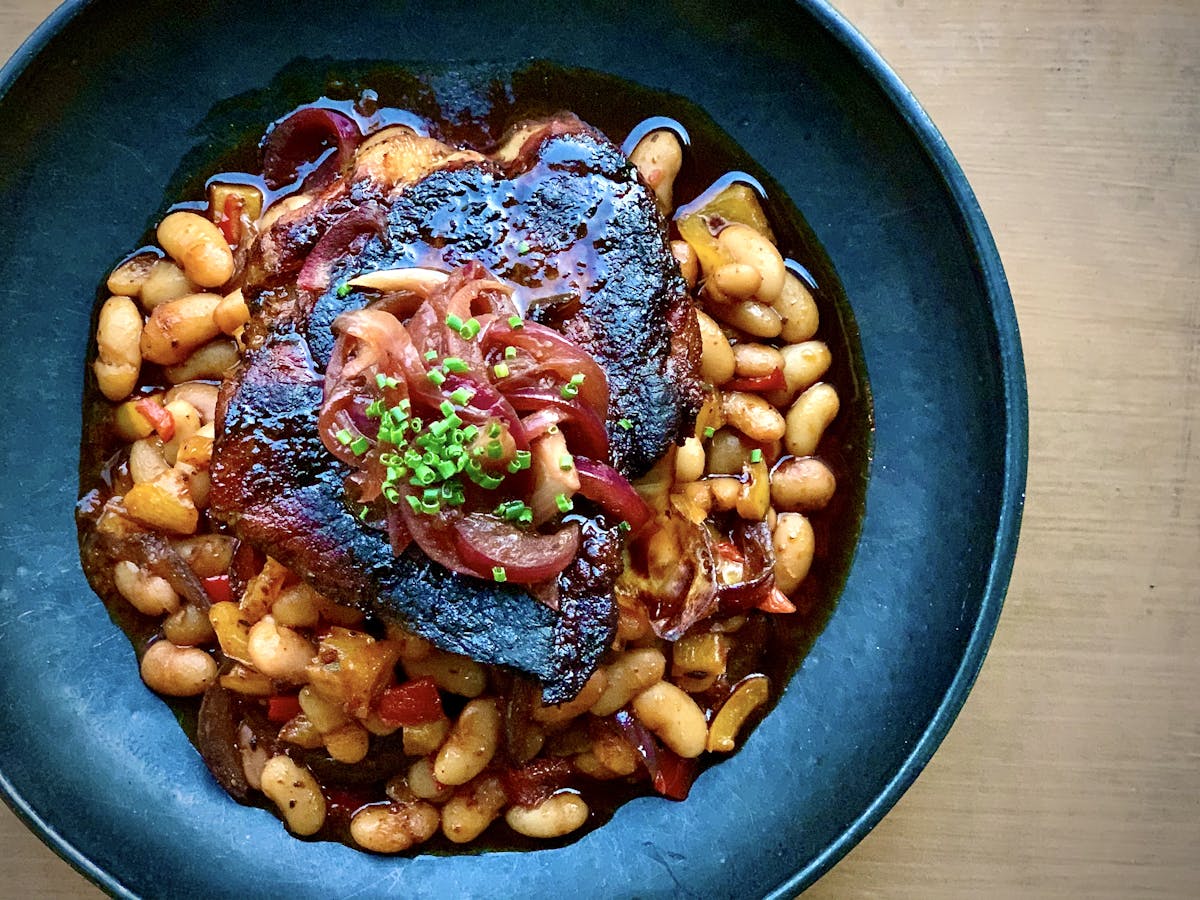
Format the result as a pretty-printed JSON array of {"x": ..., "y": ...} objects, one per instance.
[{"x": 178, "y": 310}]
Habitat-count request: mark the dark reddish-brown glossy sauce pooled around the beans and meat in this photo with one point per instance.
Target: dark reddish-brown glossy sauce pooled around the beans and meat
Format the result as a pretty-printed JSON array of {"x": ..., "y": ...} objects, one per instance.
[{"x": 476, "y": 106}]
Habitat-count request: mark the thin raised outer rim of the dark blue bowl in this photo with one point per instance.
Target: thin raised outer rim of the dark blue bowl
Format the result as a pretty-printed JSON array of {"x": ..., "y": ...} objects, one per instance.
[{"x": 975, "y": 226}]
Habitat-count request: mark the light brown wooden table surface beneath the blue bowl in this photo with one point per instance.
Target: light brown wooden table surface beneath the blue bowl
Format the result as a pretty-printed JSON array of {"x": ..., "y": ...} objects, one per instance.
[{"x": 1075, "y": 769}]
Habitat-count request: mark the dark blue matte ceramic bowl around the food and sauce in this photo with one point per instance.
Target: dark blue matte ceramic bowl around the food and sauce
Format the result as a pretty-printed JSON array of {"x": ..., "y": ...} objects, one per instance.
[{"x": 100, "y": 111}]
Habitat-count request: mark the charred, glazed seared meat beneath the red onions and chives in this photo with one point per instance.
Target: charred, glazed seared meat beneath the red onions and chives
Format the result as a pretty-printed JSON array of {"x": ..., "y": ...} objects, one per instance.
[{"x": 567, "y": 219}]
